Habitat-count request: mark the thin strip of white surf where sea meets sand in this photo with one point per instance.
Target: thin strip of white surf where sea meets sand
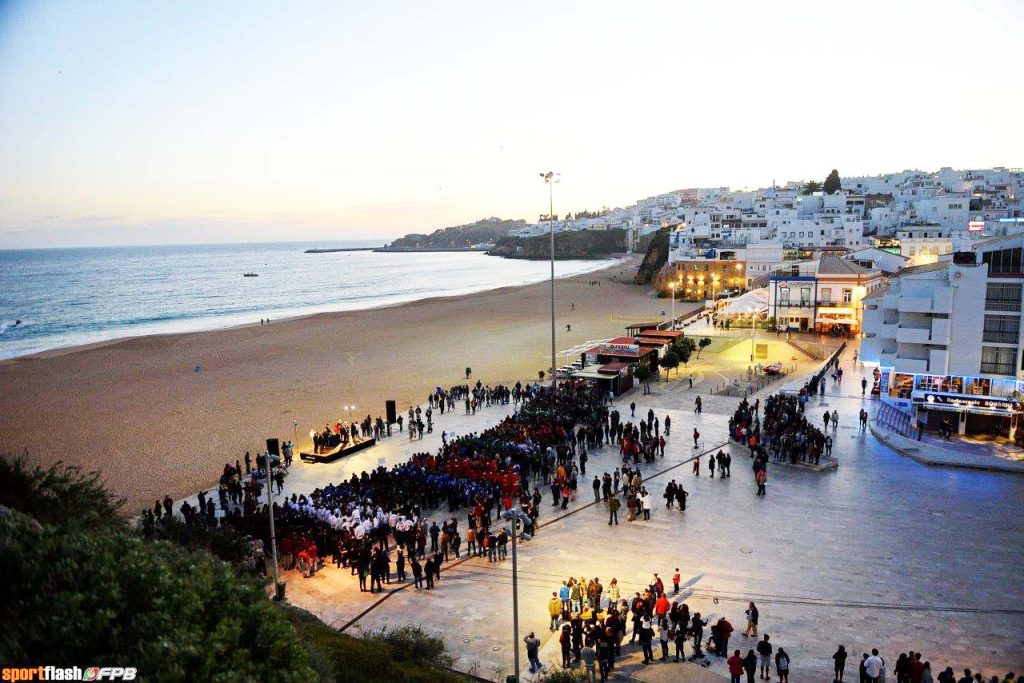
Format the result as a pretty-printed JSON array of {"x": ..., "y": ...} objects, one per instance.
[{"x": 617, "y": 261}]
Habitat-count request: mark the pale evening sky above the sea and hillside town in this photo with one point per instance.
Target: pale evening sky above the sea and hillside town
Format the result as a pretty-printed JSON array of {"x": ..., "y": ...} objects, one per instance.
[{"x": 178, "y": 122}]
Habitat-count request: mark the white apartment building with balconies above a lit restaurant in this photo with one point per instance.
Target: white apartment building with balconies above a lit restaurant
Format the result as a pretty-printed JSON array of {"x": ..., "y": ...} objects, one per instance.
[{"x": 948, "y": 339}]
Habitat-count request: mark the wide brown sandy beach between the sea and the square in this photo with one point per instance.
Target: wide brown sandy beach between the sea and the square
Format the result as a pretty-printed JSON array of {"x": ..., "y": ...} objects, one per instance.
[{"x": 138, "y": 411}]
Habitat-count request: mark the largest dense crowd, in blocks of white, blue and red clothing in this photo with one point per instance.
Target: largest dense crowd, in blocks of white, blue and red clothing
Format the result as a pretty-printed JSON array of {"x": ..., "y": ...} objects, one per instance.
[{"x": 375, "y": 523}]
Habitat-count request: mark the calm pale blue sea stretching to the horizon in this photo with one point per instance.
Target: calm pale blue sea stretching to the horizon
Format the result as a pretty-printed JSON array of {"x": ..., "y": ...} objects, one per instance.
[{"x": 66, "y": 297}]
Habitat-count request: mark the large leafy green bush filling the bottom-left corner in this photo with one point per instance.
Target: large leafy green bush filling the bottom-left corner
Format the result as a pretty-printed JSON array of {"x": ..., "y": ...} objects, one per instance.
[{"x": 109, "y": 597}]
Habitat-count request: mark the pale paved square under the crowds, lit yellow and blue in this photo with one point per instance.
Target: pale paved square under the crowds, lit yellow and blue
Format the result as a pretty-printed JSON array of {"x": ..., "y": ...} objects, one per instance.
[{"x": 882, "y": 552}]
